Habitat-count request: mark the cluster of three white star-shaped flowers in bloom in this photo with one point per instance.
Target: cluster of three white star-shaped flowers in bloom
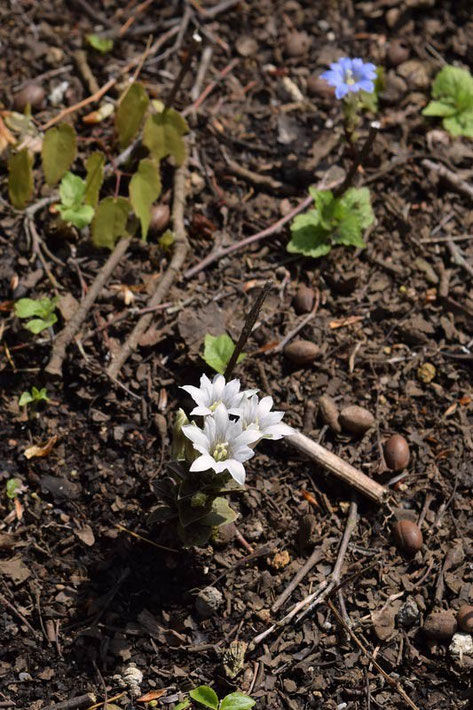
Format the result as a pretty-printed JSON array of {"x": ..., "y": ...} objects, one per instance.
[{"x": 224, "y": 444}]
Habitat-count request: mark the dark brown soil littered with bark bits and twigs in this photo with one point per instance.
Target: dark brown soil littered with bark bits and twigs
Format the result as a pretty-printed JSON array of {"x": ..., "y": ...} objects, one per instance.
[{"x": 84, "y": 591}]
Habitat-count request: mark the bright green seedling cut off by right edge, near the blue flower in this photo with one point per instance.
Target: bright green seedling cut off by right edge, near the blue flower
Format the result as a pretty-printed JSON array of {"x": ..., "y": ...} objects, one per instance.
[{"x": 452, "y": 94}]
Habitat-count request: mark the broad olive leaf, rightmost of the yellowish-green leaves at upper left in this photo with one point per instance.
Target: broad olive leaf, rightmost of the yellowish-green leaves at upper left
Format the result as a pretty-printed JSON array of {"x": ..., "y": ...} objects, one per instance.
[{"x": 162, "y": 135}]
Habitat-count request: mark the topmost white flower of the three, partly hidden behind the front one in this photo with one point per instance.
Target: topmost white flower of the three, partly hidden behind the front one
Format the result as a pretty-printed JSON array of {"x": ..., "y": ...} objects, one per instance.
[{"x": 210, "y": 394}]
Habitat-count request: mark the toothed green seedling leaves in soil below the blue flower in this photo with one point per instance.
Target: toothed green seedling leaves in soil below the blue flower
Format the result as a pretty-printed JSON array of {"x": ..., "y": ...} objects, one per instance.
[{"x": 334, "y": 220}]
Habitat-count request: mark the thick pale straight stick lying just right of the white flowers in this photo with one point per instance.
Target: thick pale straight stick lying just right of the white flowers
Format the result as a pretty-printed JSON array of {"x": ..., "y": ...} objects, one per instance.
[{"x": 343, "y": 470}]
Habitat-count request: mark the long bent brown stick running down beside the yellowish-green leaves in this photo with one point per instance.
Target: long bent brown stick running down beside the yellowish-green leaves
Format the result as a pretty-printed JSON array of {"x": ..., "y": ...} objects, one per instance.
[{"x": 164, "y": 284}]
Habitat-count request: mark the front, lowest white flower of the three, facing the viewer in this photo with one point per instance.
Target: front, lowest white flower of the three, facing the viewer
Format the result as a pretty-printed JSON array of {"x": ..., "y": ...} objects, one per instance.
[{"x": 223, "y": 444}]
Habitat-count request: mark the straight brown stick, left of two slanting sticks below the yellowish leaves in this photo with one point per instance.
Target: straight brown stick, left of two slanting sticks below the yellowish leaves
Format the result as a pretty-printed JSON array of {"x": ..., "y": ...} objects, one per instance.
[{"x": 54, "y": 366}]
